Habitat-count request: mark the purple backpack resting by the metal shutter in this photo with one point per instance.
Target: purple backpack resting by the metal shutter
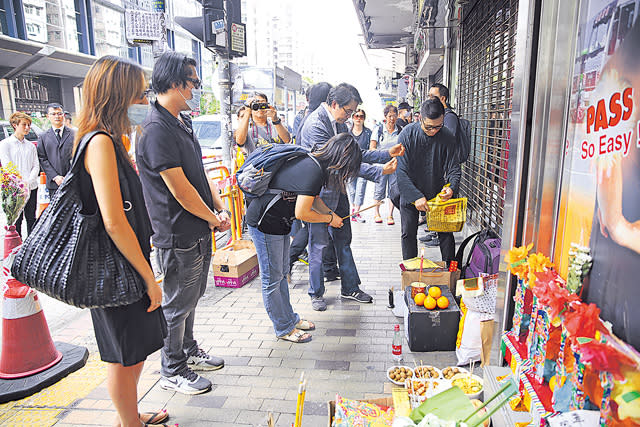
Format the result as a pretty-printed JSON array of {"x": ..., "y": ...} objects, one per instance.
[{"x": 484, "y": 256}]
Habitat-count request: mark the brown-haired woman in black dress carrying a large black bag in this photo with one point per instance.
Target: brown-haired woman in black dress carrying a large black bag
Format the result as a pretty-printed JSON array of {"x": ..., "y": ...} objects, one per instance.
[{"x": 126, "y": 335}]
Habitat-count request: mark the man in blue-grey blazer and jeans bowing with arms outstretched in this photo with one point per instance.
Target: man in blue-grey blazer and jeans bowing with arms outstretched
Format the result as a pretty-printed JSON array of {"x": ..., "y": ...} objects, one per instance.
[{"x": 319, "y": 126}]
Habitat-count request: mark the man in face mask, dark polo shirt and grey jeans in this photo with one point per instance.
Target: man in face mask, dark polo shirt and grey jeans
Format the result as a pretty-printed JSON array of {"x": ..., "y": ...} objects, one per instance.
[{"x": 182, "y": 204}]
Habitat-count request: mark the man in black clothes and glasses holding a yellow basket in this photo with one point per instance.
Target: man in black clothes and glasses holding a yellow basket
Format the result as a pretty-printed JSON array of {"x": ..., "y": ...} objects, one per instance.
[{"x": 431, "y": 155}]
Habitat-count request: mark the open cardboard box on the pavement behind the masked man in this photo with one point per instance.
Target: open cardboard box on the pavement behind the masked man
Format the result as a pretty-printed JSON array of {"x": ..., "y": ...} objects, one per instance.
[{"x": 235, "y": 265}]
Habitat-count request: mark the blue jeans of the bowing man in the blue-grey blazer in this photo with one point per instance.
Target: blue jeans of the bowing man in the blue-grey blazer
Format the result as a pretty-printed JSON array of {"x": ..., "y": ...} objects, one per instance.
[{"x": 319, "y": 236}]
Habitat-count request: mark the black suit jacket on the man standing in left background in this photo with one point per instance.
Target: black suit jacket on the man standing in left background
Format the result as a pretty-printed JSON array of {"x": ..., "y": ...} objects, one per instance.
[{"x": 54, "y": 155}]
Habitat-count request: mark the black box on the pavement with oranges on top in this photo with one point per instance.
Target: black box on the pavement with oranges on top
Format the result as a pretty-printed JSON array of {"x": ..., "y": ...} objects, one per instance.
[{"x": 431, "y": 330}]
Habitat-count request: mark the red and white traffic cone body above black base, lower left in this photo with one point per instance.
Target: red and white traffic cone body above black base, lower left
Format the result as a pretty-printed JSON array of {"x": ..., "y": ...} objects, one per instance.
[{"x": 27, "y": 347}]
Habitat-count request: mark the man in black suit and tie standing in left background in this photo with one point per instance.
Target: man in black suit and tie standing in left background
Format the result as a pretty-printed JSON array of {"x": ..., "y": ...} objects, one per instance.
[{"x": 54, "y": 148}]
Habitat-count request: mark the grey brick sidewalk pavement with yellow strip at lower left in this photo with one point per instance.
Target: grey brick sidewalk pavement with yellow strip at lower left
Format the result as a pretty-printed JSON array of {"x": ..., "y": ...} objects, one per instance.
[{"x": 349, "y": 354}]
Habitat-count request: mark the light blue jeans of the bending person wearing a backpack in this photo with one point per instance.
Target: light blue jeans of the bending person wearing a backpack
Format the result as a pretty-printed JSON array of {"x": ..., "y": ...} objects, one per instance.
[{"x": 273, "y": 258}]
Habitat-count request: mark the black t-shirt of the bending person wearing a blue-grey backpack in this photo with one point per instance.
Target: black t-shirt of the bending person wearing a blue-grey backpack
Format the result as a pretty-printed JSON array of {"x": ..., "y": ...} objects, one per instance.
[{"x": 299, "y": 176}]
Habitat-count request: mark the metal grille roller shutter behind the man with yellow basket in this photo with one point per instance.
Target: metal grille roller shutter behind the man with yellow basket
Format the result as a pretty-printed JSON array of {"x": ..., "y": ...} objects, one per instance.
[{"x": 484, "y": 98}]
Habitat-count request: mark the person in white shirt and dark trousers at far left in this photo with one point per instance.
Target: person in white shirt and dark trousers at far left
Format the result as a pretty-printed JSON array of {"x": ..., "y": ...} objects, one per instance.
[{"x": 23, "y": 154}]
